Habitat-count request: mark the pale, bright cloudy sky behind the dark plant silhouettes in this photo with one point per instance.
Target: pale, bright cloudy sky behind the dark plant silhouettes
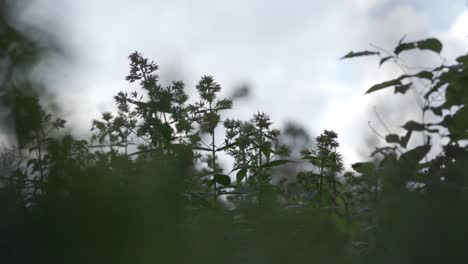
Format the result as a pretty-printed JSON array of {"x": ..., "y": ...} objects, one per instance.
[{"x": 287, "y": 52}]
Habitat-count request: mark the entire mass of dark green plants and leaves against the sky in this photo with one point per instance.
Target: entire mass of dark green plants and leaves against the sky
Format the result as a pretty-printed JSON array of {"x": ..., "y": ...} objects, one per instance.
[{"x": 148, "y": 186}]
